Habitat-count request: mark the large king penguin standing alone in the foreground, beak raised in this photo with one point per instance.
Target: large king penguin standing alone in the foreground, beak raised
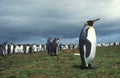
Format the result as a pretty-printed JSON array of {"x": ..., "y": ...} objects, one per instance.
[{"x": 87, "y": 44}]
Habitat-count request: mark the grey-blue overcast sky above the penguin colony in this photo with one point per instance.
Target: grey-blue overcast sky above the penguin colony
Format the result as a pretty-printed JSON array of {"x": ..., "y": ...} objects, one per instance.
[{"x": 33, "y": 21}]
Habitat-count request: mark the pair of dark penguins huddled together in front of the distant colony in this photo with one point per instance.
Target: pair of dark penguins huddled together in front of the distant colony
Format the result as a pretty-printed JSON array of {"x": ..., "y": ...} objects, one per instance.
[{"x": 52, "y": 46}]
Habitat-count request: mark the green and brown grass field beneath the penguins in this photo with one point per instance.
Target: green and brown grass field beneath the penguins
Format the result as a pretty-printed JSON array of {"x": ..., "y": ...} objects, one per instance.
[{"x": 65, "y": 65}]
